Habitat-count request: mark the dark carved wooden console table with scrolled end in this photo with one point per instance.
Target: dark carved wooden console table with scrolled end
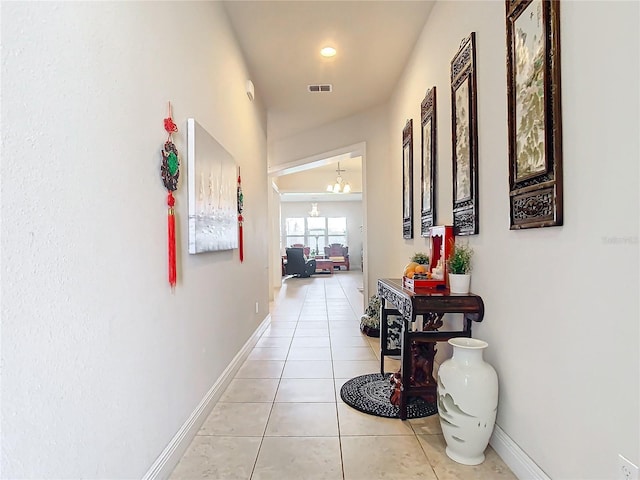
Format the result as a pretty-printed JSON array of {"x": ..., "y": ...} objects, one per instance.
[{"x": 417, "y": 347}]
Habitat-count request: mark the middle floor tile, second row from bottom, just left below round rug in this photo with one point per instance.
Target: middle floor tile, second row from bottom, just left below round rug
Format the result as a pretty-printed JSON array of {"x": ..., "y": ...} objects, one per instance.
[{"x": 303, "y": 420}]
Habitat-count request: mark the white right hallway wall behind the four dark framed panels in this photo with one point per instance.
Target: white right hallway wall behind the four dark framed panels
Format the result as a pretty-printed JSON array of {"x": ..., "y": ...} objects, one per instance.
[{"x": 561, "y": 303}]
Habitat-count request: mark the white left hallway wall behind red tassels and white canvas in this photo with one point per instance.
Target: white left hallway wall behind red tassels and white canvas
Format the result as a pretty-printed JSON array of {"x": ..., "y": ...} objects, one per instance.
[{"x": 101, "y": 363}]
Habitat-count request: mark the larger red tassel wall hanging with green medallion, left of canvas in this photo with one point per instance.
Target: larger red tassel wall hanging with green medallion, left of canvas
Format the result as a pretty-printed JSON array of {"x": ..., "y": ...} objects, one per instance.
[{"x": 170, "y": 172}]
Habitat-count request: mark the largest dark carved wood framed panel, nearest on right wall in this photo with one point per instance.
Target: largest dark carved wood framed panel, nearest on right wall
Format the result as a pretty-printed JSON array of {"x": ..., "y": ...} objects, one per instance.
[{"x": 534, "y": 113}]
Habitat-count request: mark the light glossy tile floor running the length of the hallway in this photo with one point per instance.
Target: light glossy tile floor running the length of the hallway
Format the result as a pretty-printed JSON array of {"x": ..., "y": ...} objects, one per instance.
[{"x": 282, "y": 417}]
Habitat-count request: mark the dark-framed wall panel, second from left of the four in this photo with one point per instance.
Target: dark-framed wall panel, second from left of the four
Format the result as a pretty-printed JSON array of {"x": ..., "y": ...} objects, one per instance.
[{"x": 429, "y": 150}]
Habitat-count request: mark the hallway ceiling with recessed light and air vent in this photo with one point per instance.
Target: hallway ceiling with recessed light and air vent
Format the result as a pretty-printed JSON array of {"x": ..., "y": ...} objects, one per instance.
[{"x": 281, "y": 41}]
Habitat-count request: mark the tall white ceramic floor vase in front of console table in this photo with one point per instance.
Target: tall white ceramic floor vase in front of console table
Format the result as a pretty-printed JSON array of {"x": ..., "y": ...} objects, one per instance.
[{"x": 467, "y": 401}]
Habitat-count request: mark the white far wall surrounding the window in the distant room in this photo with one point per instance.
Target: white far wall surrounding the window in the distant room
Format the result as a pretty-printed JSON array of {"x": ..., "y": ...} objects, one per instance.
[{"x": 351, "y": 210}]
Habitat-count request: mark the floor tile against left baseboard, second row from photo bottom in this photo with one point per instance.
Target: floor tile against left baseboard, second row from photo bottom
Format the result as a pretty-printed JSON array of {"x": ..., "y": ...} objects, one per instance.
[{"x": 237, "y": 420}]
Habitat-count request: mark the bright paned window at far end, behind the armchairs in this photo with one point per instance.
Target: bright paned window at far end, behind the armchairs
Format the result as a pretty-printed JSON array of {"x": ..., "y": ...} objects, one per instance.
[{"x": 315, "y": 232}]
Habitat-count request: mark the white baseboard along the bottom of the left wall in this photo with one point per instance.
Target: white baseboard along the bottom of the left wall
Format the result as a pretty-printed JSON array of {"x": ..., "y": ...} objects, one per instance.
[{"x": 173, "y": 452}]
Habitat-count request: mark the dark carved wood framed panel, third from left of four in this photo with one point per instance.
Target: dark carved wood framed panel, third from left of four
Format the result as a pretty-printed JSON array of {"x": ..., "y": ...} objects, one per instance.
[{"x": 464, "y": 128}]
